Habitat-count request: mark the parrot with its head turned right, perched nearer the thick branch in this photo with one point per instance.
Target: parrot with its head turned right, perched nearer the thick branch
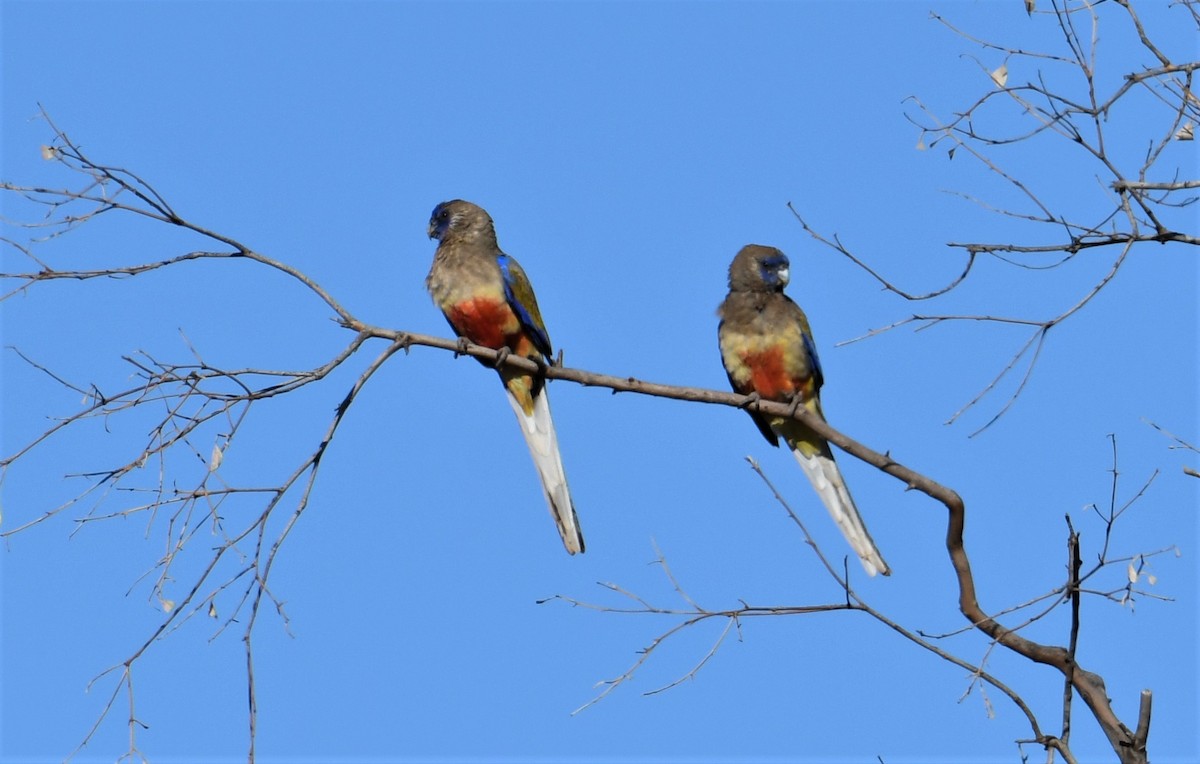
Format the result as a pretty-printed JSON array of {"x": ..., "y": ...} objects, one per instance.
[{"x": 767, "y": 350}]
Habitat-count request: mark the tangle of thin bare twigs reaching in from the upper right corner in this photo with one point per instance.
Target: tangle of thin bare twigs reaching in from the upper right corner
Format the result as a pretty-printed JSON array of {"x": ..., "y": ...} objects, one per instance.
[{"x": 1067, "y": 103}]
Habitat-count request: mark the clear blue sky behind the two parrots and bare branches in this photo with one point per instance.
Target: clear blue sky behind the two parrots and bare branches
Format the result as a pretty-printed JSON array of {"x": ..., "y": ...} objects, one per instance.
[{"x": 627, "y": 152}]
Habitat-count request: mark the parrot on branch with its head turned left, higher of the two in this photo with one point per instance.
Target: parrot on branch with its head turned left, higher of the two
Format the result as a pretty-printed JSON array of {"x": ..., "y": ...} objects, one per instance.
[{"x": 488, "y": 299}]
